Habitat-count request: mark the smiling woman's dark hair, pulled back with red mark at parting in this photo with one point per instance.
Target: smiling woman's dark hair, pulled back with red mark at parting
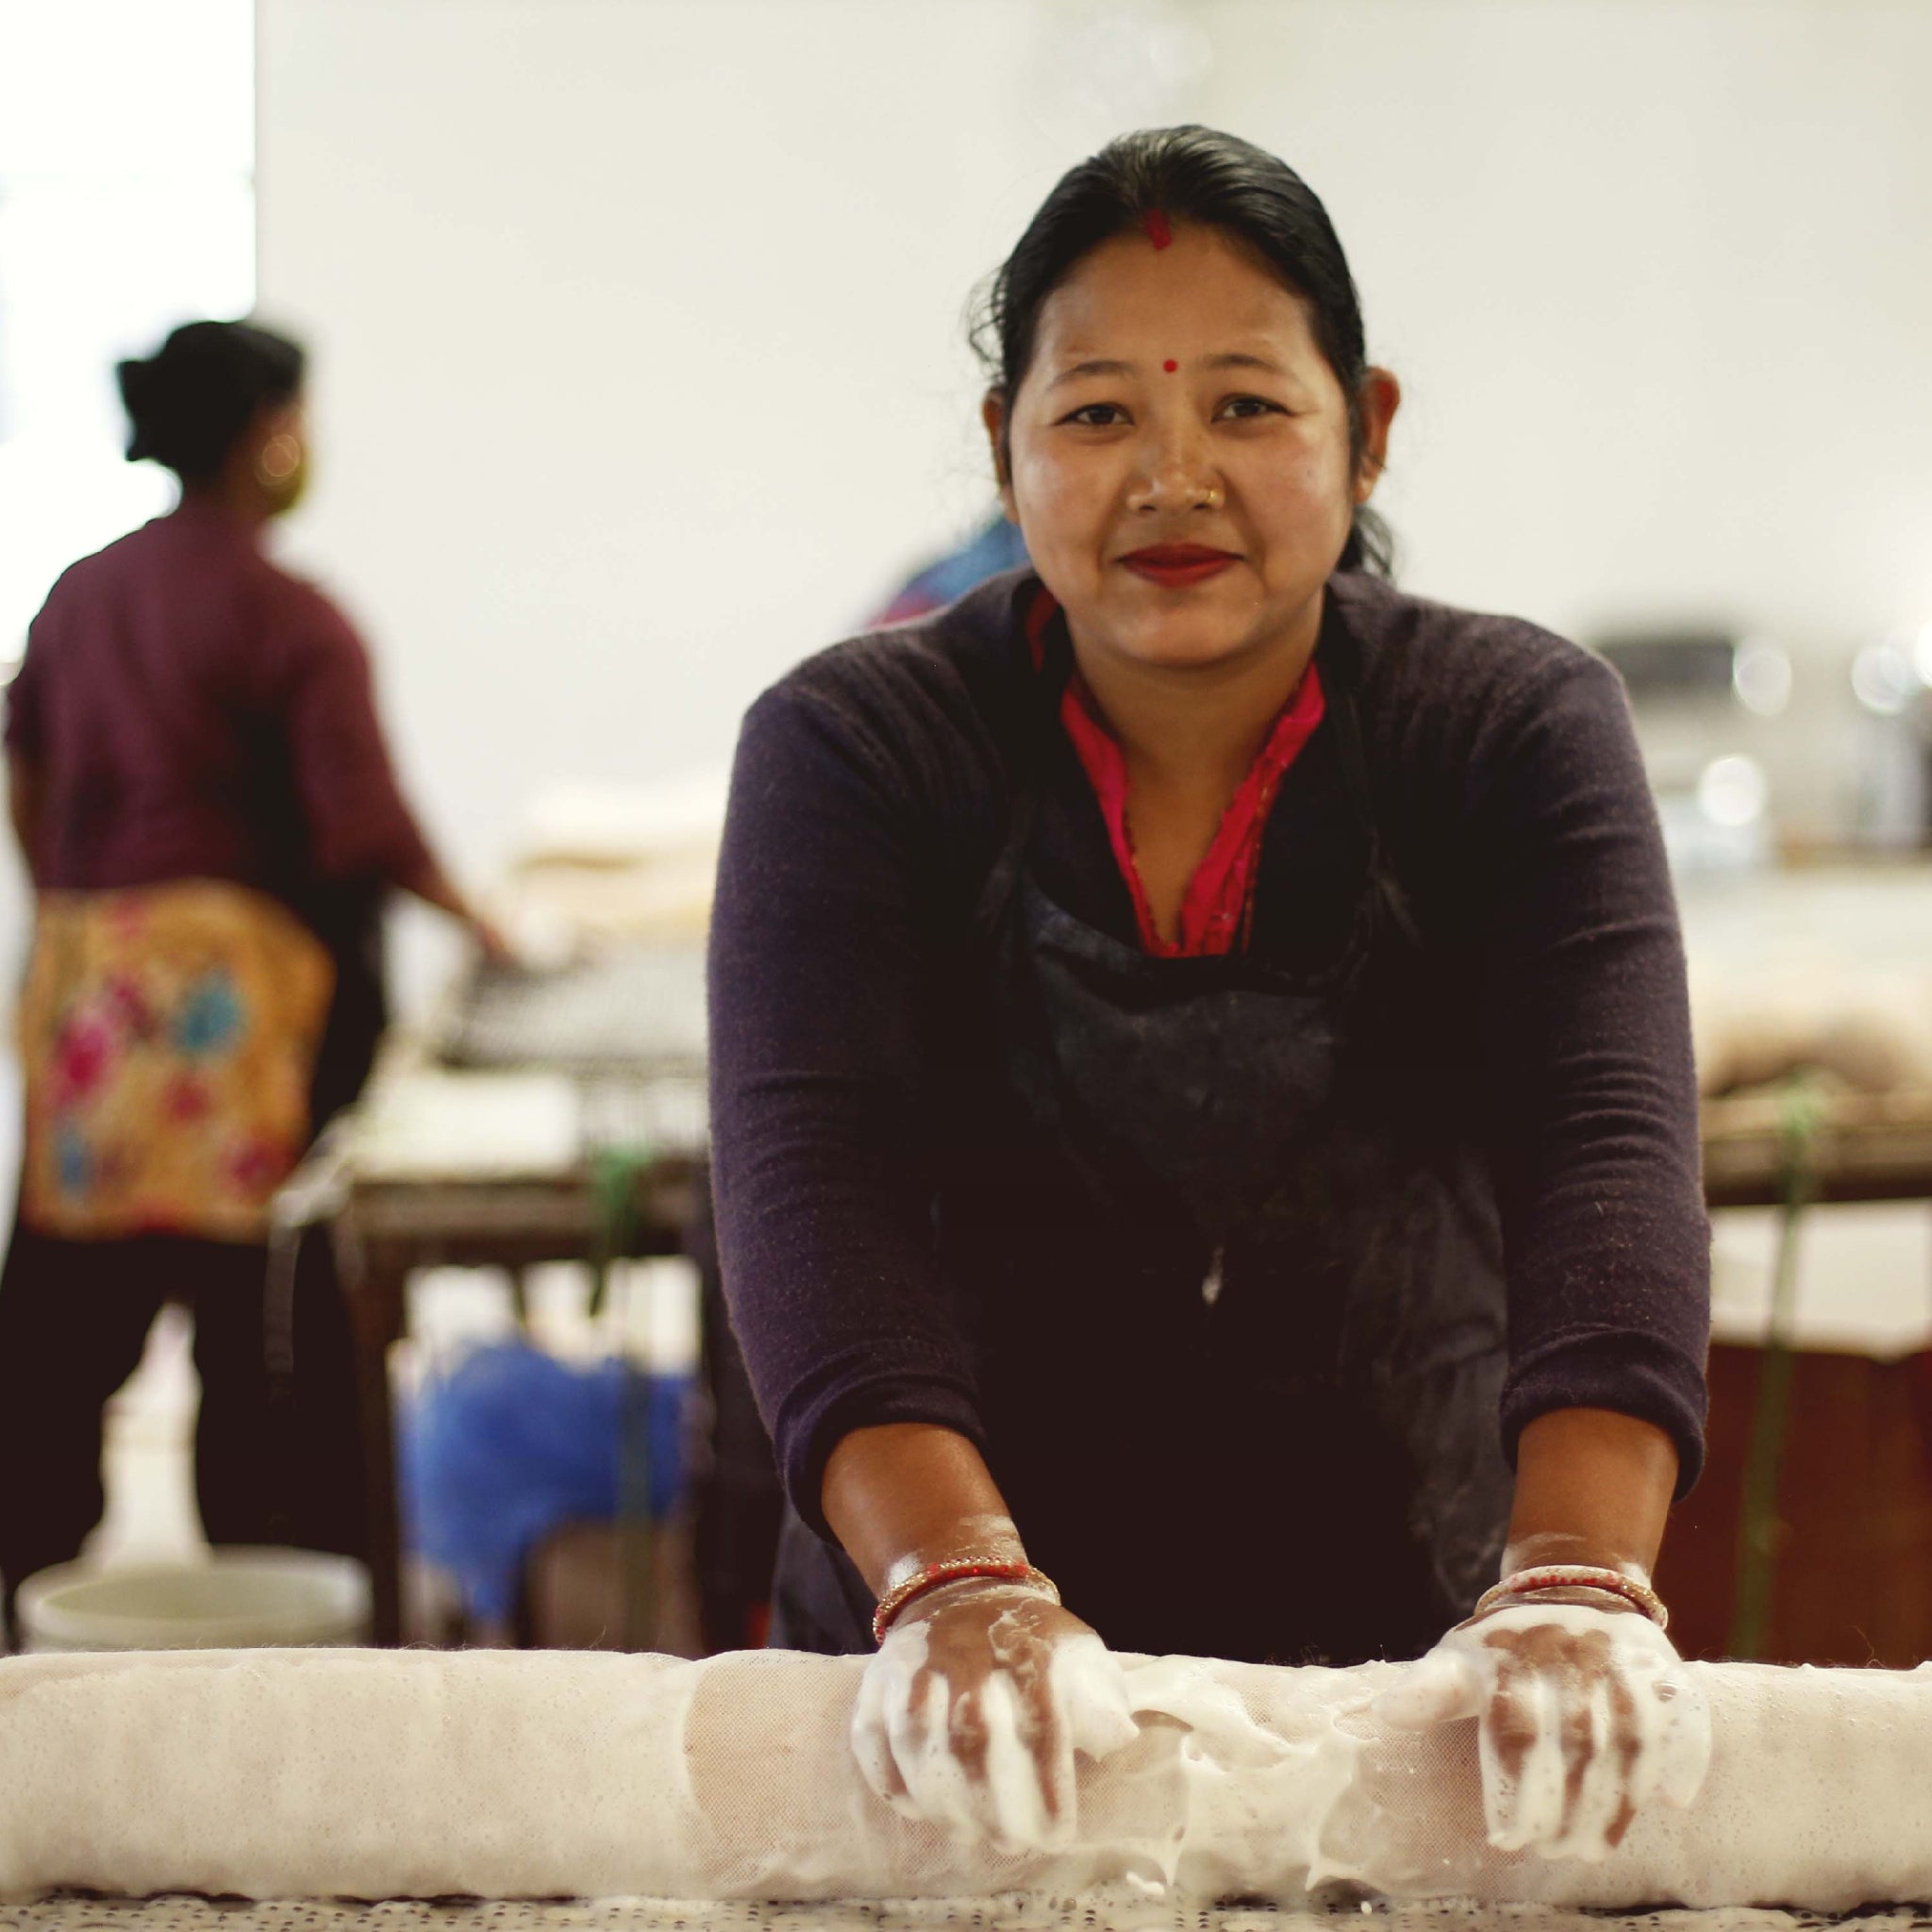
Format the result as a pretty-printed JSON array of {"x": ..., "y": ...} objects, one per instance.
[{"x": 1214, "y": 181}]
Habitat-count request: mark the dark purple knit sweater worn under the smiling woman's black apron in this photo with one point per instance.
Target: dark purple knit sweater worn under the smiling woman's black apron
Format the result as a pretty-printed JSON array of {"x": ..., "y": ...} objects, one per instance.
[{"x": 868, "y": 805}]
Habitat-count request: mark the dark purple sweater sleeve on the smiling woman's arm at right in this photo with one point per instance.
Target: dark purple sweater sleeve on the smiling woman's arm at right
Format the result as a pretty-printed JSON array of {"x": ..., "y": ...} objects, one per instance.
[{"x": 1585, "y": 1021}]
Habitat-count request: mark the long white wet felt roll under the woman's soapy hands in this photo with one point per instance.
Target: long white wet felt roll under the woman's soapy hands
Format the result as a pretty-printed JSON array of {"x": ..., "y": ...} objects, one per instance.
[{"x": 424, "y": 1775}]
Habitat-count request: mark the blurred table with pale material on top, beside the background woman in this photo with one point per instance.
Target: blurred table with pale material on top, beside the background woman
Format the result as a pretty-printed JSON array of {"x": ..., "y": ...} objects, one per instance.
[{"x": 546, "y": 1118}]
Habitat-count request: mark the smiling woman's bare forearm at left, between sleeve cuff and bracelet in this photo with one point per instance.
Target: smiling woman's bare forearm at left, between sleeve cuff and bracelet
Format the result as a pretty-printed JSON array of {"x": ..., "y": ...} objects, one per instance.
[{"x": 909, "y": 1494}]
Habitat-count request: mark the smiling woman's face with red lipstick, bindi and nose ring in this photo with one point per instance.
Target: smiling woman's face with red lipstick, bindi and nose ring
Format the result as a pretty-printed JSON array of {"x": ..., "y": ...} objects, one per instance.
[{"x": 1179, "y": 453}]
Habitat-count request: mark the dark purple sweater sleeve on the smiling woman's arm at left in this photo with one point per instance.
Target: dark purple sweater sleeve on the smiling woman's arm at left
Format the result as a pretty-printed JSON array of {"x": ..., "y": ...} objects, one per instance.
[{"x": 820, "y": 1027}]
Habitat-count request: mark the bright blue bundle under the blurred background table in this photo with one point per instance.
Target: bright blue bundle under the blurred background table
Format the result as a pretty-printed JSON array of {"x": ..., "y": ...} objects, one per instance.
[{"x": 513, "y": 1444}]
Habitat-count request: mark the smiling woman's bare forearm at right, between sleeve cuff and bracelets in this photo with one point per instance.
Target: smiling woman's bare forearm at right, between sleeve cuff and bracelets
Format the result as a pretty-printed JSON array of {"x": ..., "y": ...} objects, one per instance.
[{"x": 1593, "y": 1487}]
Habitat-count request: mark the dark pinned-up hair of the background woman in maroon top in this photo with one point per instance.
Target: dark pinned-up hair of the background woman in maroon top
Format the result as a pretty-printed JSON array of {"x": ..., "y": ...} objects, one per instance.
[{"x": 194, "y": 397}]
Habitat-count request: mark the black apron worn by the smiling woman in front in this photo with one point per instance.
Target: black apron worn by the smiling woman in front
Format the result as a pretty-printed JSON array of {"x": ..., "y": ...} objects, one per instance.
[{"x": 1230, "y": 1255}]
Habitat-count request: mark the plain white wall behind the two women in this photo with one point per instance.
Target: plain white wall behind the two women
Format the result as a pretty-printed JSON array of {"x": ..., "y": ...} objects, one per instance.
[{"x": 639, "y": 339}]
